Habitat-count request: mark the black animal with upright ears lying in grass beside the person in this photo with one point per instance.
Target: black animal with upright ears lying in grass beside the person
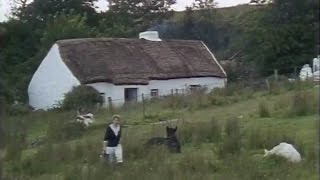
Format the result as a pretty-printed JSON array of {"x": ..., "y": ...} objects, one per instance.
[{"x": 171, "y": 141}]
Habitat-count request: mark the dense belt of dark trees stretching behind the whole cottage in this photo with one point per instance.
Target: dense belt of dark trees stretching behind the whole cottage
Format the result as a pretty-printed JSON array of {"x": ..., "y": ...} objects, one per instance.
[{"x": 282, "y": 33}]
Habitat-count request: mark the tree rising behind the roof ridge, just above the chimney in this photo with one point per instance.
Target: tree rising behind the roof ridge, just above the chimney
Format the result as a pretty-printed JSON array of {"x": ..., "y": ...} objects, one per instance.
[{"x": 133, "y": 16}]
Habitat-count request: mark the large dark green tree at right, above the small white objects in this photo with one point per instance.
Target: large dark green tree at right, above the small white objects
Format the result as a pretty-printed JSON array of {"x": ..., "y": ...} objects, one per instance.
[{"x": 282, "y": 35}]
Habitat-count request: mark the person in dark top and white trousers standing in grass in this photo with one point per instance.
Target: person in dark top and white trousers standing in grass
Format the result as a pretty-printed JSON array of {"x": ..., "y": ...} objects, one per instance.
[{"x": 112, "y": 148}]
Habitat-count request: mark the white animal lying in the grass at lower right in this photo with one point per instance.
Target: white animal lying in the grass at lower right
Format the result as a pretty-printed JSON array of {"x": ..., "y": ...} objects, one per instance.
[{"x": 285, "y": 150}]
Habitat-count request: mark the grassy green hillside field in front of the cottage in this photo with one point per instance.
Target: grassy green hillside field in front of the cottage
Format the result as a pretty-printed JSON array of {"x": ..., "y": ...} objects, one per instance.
[{"x": 223, "y": 135}]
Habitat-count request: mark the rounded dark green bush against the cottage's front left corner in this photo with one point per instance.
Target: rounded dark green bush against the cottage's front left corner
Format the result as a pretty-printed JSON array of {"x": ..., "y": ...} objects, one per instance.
[{"x": 82, "y": 96}]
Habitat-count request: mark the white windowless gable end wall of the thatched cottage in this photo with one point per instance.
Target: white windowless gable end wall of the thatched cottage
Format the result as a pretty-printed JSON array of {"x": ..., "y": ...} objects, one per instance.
[{"x": 51, "y": 81}]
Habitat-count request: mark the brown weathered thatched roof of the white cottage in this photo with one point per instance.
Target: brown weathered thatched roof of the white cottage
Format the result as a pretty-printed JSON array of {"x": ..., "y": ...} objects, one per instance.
[{"x": 136, "y": 61}]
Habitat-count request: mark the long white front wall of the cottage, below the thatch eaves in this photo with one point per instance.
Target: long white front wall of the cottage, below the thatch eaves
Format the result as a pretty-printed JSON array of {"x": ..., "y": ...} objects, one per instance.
[{"x": 164, "y": 87}]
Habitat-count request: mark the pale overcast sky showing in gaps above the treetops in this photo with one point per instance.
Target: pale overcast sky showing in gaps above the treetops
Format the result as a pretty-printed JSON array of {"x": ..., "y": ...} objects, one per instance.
[{"x": 181, "y": 4}]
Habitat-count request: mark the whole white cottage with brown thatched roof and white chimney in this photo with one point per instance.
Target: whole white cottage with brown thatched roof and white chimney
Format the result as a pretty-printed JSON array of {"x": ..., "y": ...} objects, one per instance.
[{"x": 123, "y": 69}]
